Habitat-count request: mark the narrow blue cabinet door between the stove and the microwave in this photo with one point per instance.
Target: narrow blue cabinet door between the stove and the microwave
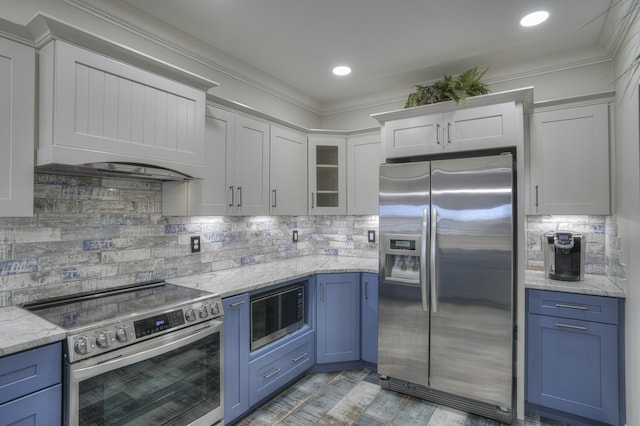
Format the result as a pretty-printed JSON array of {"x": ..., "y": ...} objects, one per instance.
[{"x": 236, "y": 356}]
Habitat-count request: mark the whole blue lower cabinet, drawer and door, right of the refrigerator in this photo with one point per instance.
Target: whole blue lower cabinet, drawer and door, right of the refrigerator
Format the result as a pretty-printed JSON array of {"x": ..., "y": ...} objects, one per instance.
[{"x": 574, "y": 365}]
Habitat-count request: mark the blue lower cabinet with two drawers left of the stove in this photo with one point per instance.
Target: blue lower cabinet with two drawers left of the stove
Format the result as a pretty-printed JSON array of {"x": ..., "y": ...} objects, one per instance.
[{"x": 31, "y": 387}]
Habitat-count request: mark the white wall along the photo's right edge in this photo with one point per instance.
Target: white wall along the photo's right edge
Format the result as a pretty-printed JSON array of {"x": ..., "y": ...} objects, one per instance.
[{"x": 627, "y": 210}]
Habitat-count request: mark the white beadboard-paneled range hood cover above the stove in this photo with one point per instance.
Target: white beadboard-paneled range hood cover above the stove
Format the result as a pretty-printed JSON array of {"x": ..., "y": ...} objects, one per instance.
[{"x": 94, "y": 108}]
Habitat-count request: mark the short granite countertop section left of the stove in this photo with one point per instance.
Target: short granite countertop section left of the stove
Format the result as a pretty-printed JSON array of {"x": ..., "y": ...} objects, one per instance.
[{"x": 21, "y": 330}]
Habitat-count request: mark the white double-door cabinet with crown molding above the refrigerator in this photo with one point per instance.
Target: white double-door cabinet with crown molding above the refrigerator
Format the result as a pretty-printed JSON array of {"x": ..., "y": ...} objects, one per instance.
[{"x": 483, "y": 122}]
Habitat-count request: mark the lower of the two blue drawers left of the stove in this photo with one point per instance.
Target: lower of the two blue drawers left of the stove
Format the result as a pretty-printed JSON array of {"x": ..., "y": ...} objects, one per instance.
[{"x": 39, "y": 408}]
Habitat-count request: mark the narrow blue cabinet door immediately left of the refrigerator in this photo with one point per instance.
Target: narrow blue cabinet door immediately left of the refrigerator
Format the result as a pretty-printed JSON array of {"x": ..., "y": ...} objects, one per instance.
[{"x": 369, "y": 323}]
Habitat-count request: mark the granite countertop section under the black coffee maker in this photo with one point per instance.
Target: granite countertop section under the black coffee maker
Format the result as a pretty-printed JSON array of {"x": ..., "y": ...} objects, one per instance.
[{"x": 598, "y": 285}]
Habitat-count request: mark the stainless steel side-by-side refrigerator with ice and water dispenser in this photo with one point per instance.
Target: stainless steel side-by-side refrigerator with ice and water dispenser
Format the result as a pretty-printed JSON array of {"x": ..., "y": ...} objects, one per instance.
[{"x": 447, "y": 274}]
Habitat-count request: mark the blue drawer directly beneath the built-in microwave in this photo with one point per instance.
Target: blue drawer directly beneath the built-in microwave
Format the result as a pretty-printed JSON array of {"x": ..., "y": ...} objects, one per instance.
[{"x": 278, "y": 367}]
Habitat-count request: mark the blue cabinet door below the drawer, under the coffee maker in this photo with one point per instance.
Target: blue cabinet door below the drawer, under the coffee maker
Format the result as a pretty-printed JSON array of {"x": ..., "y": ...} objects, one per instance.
[{"x": 572, "y": 366}]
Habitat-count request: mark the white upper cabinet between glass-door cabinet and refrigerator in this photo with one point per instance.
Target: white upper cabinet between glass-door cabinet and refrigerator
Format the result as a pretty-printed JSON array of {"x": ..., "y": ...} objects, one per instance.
[{"x": 364, "y": 156}]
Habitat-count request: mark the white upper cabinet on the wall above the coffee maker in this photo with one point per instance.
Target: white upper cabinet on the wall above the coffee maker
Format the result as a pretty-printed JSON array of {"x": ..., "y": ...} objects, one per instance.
[{"x": 569, "y": 160}]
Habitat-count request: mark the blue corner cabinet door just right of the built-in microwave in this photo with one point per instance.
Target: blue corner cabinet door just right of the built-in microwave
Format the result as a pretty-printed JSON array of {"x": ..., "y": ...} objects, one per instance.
[{"x": 338, "y": 317}]
